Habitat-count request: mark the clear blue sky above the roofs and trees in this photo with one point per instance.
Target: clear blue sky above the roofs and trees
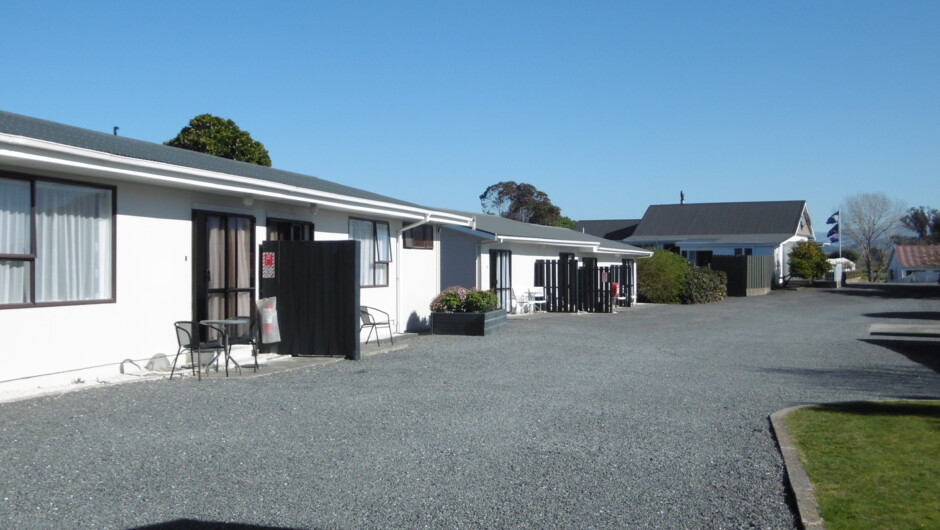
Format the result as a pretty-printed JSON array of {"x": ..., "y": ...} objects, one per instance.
[{"x": 606, "y": 106}]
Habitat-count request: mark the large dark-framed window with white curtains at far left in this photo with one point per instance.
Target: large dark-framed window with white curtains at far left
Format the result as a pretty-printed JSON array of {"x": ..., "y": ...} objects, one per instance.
[{"x": 55, "y": 242}]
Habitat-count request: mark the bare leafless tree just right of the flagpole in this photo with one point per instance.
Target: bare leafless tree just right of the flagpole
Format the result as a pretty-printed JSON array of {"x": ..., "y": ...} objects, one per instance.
[{"x": 870, "y": 220}]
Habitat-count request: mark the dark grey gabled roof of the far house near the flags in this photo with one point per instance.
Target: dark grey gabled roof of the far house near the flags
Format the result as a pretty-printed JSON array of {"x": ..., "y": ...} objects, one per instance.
[{"x": 727, "y": 222}]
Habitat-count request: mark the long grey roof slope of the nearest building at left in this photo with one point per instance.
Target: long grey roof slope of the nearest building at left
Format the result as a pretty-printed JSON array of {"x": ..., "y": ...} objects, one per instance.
[{"x": 19, "y": 125}]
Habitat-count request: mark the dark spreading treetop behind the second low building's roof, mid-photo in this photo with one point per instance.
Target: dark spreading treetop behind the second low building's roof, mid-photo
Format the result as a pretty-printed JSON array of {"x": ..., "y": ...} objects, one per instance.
[{"x": 522, "y": 202}]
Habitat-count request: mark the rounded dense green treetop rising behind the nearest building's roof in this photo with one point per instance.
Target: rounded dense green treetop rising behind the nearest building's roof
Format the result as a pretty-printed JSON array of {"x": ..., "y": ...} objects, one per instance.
[{"x": 220, "y": 137}]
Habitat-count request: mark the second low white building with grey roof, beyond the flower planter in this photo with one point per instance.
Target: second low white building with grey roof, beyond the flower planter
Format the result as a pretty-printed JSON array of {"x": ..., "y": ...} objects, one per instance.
[{"x": 500, "y": 254}]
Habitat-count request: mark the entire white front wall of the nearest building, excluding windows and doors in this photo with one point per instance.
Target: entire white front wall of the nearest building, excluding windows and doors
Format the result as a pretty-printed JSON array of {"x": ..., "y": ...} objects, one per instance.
[{"x": 154, "y": 283}]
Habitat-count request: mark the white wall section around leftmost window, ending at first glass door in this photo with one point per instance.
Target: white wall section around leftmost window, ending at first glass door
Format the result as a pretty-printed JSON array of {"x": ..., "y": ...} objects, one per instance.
[{"x": 154, "y": 274}]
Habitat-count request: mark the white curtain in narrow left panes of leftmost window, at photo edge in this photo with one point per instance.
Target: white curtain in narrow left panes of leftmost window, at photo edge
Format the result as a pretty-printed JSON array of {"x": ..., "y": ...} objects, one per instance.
[{"x": 14, "y": 239}]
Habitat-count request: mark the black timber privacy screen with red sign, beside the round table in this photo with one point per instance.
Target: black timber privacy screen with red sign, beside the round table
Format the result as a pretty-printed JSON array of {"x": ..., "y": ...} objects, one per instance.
[{"x": 317, "y": 290}]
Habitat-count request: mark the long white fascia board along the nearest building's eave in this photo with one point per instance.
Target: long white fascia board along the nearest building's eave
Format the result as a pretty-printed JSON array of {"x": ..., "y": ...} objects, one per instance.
[{"x": 41, "y": 154}]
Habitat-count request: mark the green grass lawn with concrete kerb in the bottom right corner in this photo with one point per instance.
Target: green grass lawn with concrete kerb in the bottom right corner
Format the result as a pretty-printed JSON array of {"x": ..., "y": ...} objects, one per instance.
[{"x": 873, "y": 465}]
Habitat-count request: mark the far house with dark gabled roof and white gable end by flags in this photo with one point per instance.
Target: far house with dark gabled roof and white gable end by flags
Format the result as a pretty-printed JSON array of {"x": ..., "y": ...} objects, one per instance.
[{"x": 700, "y": 231}]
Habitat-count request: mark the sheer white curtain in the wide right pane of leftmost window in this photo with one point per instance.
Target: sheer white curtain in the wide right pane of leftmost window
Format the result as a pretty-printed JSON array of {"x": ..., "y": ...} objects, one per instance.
[{"x": 73, "y": 240}]
